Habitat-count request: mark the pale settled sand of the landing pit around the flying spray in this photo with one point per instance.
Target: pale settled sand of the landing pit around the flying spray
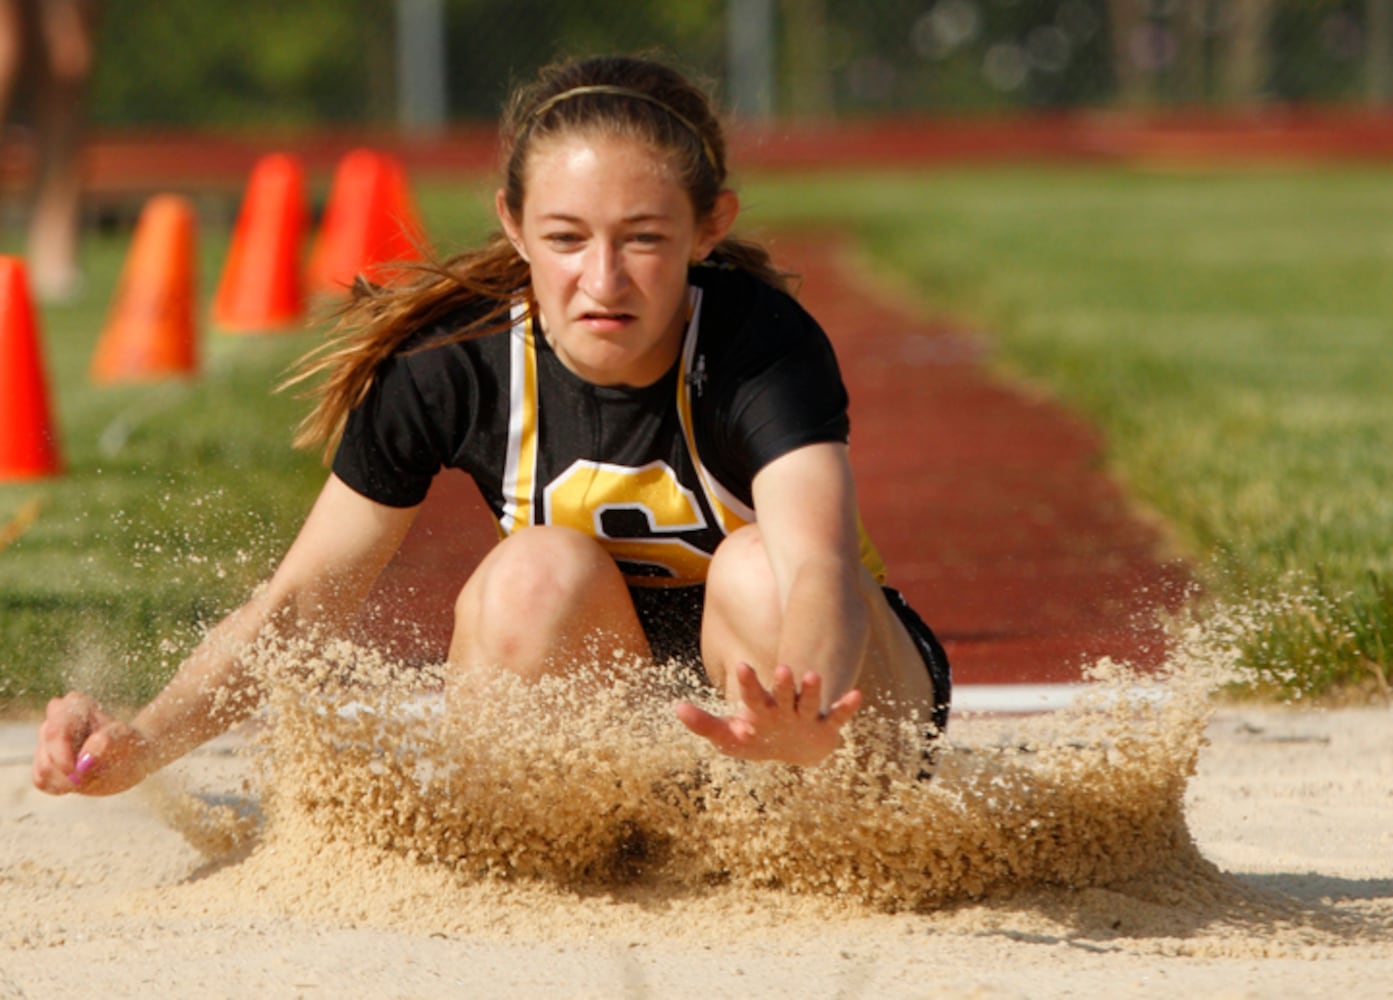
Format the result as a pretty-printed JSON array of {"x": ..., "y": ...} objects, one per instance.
[{"x": 1286, "y": 891}]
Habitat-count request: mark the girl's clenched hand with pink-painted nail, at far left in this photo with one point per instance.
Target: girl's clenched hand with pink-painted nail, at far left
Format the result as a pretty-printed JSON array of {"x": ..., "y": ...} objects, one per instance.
[{"x": 81, "y": 749}]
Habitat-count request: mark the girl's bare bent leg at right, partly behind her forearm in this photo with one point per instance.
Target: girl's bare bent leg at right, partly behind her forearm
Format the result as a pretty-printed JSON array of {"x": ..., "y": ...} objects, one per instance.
[{"x": 743, "y": 620}]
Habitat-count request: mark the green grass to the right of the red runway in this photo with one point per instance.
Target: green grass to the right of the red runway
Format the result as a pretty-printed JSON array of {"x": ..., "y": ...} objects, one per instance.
[{"x": 1231, "y": 334}]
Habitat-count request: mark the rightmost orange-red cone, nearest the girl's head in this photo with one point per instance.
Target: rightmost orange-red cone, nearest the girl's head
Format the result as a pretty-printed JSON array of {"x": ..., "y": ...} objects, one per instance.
[{"x": 370, "y": 224}]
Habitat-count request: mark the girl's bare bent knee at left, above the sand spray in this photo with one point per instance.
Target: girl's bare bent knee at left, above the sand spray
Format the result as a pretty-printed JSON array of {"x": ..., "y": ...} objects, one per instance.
[{"x": 545, "y": 601}]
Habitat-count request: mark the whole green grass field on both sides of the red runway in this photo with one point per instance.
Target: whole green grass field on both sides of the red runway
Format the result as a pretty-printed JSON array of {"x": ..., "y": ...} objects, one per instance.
[{"x": 1229, "y": 332}]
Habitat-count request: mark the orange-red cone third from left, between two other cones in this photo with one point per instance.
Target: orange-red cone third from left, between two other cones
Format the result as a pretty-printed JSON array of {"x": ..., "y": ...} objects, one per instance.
[{"x": 260, "y": 289}]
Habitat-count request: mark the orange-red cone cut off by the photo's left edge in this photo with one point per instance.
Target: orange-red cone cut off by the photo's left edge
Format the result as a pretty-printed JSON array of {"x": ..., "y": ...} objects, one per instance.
[{"x": 29, "y": 445}]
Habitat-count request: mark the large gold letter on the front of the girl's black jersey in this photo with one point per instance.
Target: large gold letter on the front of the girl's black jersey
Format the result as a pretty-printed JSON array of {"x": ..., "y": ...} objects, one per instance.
[{"x": 580, "y": 498}]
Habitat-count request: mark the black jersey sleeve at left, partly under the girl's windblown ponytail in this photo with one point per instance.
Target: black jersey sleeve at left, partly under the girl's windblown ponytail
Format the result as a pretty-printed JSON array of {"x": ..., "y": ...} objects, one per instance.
[{"x": 392, "y": 446}]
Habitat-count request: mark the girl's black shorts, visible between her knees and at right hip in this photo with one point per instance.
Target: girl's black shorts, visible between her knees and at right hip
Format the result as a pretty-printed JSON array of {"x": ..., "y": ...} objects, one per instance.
[{"x": 671, "y": 618}]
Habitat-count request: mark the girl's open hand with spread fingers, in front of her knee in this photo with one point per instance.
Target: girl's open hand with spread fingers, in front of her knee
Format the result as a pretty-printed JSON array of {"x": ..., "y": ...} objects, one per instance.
[{"x": 784, "y": 724}]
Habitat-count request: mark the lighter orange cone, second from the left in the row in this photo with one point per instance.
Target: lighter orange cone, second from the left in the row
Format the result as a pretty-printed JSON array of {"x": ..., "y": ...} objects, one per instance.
[{"x": 150, "y": 334}]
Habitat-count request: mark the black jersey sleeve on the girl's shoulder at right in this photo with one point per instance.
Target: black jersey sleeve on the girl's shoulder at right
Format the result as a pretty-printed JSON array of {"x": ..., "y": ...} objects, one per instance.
[{"x": 786, "y": 391}]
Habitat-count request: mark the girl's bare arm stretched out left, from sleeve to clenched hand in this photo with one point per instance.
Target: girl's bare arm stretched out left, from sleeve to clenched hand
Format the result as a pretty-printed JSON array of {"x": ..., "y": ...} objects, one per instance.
[{"x": 321, "y": 583}]
